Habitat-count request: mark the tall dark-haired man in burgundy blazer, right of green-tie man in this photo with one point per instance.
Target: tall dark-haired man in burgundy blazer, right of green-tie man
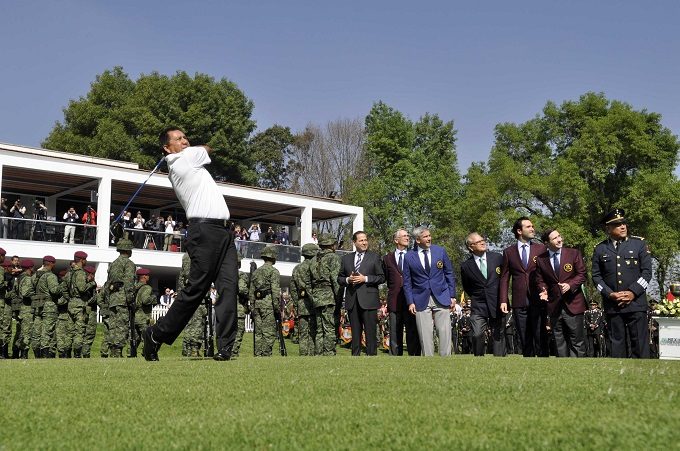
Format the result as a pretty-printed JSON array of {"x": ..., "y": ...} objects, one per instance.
[{"x": 519, "y": 266}]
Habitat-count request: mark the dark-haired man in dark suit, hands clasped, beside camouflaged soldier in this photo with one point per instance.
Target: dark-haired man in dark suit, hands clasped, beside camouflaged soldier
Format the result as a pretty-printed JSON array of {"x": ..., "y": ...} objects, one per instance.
[{"x": 361, "y": 273}]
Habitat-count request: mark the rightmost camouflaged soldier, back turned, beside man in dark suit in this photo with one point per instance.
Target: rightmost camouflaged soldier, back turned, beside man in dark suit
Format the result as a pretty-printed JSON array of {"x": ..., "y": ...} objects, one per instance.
[{"x": 324, "y": 270}]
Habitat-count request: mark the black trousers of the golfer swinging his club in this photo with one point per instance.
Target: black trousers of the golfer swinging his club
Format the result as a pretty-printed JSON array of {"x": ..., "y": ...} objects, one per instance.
[{"x": 213, "y": 259}]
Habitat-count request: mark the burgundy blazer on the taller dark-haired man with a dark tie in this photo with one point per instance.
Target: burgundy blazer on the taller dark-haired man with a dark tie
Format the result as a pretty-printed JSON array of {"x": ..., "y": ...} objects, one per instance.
[{"x": 523, "y": 280}]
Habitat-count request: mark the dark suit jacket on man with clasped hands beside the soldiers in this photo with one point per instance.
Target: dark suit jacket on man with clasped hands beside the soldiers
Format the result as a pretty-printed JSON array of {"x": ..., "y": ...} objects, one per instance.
[{"x": 366, "y": 293}]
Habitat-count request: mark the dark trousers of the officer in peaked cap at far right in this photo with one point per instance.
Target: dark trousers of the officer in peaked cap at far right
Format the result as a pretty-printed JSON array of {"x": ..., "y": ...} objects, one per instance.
[{"x": 637, "y": 327}]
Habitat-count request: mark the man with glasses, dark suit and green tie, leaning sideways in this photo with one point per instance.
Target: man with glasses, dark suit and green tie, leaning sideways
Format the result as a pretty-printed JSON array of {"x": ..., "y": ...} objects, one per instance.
[{"x": 480, "y": 275}]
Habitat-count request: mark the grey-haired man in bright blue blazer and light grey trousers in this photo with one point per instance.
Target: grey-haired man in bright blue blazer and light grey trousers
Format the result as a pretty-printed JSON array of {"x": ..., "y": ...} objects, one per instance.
[{"x": 430, "y": 290}]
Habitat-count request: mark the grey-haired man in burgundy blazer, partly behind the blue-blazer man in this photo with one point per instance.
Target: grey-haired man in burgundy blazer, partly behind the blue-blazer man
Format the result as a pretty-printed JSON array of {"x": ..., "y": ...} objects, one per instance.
[{"x": 399, "y": 316}]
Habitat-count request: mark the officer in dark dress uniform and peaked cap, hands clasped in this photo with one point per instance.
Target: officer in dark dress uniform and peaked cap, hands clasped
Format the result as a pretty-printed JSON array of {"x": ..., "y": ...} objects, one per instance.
[{"x": 622, "y": 269}]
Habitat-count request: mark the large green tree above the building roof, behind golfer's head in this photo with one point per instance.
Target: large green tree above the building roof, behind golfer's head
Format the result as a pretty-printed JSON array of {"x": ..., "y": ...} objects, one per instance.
[{"x": 120, "y": 118}]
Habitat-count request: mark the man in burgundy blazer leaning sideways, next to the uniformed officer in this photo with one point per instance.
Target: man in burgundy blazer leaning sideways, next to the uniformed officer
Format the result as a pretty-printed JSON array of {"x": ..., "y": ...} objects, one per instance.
[{"x": 560, "y": 274}]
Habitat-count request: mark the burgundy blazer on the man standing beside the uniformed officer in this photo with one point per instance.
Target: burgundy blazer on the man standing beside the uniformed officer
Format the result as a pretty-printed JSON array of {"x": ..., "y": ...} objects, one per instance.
[{"x": 572, "y": 271}]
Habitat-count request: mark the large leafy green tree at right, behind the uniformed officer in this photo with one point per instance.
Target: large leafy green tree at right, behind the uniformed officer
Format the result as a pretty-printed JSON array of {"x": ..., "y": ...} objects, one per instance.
[{"x": 571, "y": 165}]
